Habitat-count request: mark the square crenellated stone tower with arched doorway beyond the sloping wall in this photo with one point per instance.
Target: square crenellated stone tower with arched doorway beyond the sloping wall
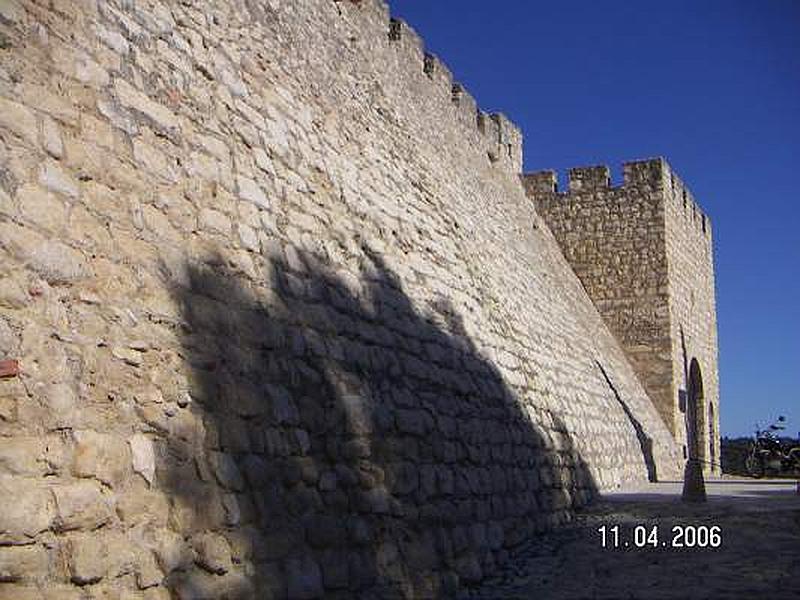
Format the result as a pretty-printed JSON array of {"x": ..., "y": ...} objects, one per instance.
[{"x": 644, "y": 253}]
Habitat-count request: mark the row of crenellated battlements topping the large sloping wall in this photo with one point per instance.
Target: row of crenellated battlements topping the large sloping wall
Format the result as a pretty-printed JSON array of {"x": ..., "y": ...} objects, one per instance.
[{"x": 493, "y": 133}]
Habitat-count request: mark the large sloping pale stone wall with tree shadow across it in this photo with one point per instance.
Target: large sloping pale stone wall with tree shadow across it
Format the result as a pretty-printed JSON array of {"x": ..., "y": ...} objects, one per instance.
[{"x": 286, "y": 323}]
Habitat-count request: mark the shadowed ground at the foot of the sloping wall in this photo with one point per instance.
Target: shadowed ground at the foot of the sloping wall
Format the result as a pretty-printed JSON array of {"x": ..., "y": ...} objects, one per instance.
[{"x": 758, "y": 554}]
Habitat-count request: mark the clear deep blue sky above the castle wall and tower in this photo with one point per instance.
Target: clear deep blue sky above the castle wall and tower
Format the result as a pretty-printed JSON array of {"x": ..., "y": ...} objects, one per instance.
[{"x": 713, "y": 86}]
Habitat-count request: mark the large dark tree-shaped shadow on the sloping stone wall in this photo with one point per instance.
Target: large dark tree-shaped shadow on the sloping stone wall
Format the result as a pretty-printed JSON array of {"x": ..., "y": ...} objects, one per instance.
[{"x": 352, "y": 445}]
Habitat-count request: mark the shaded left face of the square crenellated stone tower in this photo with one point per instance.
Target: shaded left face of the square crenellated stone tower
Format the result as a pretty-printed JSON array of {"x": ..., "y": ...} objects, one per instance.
[{"x": 614, "y": 237}]
